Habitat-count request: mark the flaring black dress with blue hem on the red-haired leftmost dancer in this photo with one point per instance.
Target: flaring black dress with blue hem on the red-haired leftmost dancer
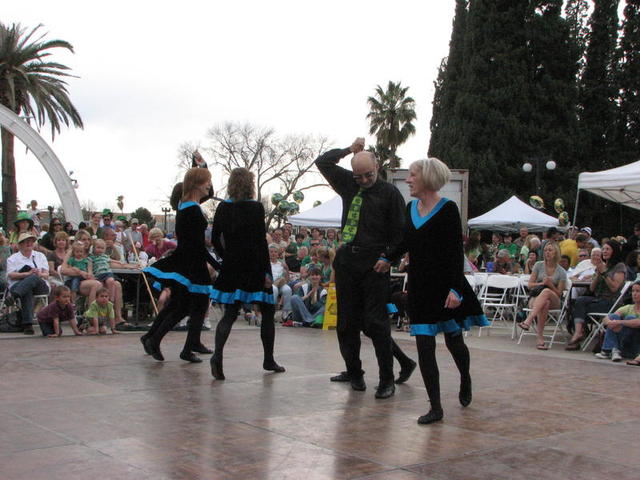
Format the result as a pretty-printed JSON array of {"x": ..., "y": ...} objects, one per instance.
[{"x": 186, "y": 266}]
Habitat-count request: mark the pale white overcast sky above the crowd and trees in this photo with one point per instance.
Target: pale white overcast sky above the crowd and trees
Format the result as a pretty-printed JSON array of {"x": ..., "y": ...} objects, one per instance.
[{"x": 152, "y": 75}]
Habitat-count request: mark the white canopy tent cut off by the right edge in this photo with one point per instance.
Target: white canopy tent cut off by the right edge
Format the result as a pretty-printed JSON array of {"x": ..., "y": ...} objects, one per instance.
[{"x": 620, "y": 185}]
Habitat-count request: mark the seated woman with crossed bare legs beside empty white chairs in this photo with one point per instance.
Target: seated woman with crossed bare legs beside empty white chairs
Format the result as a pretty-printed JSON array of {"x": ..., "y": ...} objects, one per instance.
[{"x": 546, "y": 285}]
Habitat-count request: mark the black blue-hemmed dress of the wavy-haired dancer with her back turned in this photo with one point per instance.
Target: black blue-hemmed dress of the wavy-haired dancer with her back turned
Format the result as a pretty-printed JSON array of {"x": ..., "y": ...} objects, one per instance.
[{"x": 239, "y": 237}]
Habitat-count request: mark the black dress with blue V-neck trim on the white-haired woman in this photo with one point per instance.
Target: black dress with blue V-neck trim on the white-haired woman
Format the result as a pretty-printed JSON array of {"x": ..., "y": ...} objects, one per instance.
[{"x": 434, "y": 243}]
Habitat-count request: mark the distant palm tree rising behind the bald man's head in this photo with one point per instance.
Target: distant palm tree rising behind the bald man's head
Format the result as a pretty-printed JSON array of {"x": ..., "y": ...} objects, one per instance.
[{"x": 390, "y": 116}]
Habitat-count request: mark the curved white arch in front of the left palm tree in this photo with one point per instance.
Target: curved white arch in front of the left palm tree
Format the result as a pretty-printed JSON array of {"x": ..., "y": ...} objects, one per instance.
[{"x": 49, "y": 161}]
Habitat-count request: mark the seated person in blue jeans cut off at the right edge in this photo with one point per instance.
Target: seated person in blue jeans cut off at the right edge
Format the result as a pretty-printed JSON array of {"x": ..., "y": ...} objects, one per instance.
[{"x": 622, "y": 336}]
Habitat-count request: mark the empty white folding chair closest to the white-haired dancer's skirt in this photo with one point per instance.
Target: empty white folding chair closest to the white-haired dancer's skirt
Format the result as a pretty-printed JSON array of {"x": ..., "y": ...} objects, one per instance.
[{"x": 498, "y": 302}]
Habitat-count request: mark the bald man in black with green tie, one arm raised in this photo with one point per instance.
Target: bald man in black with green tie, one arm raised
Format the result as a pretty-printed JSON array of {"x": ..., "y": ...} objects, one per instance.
[{"x": 372, "y": 224}]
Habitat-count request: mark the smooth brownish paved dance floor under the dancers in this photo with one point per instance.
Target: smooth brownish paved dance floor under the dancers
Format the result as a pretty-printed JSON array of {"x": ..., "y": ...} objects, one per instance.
[{"x": 97, "y": 407}]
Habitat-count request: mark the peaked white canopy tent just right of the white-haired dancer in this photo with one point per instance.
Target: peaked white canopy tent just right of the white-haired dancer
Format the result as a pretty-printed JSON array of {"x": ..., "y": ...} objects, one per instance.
[{"x": 512, "y": 215}]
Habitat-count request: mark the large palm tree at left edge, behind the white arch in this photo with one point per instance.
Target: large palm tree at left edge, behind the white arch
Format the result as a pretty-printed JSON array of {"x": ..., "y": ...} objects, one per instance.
[{"x": 34, "y": 86}]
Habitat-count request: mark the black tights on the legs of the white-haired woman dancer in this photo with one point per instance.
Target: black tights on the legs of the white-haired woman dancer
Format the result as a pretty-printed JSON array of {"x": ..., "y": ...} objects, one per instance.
[{"x": 429, "y": 366}]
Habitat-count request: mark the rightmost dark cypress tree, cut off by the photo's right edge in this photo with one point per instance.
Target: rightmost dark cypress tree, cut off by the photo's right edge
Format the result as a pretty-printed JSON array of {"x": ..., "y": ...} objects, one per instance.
[{"x": 628, "y": 85}]
